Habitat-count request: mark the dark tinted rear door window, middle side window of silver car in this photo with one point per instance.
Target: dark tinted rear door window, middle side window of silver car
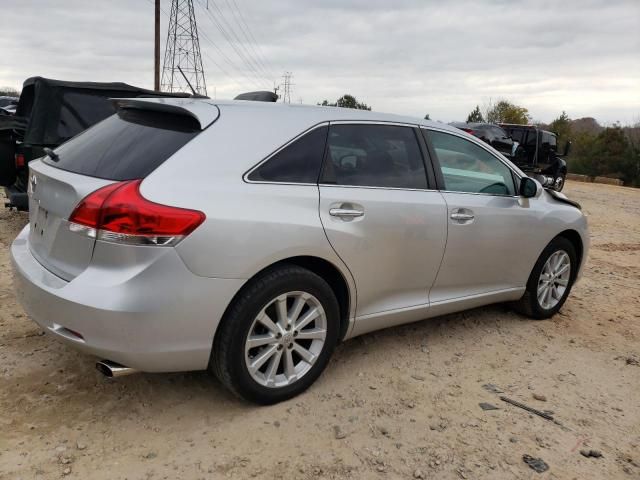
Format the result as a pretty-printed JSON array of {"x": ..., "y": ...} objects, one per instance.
[{"x": 374, "y": 156}]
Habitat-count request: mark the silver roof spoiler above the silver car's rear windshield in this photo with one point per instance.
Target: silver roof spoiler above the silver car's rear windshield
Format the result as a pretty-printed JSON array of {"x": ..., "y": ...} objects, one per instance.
[{"x": 204, "y": 113}]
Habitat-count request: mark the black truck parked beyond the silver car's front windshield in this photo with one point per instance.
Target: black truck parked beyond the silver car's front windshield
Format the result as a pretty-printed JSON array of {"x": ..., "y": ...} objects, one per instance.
[{"x": 537, "y": 154}]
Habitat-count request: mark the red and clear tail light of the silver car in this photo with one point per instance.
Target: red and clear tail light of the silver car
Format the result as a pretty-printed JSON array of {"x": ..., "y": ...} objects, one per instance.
[{"x": 119, "y": 213}]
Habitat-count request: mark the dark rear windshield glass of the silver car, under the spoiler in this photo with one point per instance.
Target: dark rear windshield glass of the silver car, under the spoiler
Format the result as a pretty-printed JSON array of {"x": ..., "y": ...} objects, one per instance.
[{"x": 126, "y": 146}]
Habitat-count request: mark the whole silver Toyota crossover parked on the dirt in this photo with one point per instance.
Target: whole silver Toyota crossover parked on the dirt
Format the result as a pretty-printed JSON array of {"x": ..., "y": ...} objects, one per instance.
[{"x": 249, "y": 238}]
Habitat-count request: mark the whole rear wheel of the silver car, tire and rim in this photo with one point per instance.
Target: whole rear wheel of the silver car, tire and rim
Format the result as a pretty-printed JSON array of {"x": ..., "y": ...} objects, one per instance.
[{"x": 278, "y": 336}]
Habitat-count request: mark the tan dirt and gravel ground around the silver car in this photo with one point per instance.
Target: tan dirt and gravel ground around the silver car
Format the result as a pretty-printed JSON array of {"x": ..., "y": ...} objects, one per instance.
[{"x": 401, "y": 403}]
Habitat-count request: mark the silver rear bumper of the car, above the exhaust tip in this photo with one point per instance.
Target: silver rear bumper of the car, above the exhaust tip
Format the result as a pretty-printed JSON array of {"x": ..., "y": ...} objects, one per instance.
[{"x": 156, "y": 318}]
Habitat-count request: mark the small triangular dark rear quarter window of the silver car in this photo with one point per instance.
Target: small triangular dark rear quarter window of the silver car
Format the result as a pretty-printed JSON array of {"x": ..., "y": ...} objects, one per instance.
[{"x": 298, "y": 162}]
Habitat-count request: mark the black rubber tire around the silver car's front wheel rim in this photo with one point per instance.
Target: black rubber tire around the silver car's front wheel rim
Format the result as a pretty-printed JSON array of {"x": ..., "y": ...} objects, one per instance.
[{"x": 529, "y": 304}]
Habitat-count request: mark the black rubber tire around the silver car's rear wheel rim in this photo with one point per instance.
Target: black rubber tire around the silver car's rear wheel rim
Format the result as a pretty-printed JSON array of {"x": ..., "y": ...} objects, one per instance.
[{"x": 228, "y": 353}]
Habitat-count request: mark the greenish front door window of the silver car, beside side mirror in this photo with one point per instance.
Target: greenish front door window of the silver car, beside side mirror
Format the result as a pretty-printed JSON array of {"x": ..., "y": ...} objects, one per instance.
[{"x": 466, "y": 167}]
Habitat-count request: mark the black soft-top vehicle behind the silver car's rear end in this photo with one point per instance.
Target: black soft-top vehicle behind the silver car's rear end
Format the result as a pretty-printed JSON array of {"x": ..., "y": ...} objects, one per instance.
[{"x": 50, "y": 112}]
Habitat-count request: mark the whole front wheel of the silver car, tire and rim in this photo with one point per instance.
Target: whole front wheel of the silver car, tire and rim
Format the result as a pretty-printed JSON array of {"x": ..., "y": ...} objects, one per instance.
[{"x": 550, "y": 281}]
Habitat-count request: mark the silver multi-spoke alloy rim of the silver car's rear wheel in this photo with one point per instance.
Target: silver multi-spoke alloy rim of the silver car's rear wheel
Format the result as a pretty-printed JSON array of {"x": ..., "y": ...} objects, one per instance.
[{"x": 285, "y": 339}]
